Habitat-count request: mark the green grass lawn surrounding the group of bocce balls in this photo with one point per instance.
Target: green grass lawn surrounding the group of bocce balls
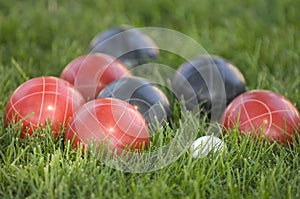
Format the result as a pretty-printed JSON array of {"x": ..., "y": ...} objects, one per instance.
[{"x": 260, "y": 37}]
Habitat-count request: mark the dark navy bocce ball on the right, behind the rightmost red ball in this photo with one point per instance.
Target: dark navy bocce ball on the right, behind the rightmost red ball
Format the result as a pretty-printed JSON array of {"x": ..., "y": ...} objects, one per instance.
[{"x": 203, "y": 79}]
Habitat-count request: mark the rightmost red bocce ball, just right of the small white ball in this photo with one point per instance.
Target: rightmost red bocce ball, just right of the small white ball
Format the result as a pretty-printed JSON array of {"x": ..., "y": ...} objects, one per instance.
[{"x": 263, "y": 113}]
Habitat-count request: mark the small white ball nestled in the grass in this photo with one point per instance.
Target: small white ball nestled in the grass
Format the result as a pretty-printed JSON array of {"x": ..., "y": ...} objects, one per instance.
[{"x": 205, "y": 144}]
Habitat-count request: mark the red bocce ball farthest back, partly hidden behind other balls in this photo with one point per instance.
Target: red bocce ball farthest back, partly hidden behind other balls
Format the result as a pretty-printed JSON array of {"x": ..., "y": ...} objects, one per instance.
[{"x": 91, "y": 73}]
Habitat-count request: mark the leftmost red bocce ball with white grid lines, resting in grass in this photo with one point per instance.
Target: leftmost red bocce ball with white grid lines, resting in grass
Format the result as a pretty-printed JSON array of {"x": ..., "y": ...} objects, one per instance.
[{"x": 41, "y": 100}]
